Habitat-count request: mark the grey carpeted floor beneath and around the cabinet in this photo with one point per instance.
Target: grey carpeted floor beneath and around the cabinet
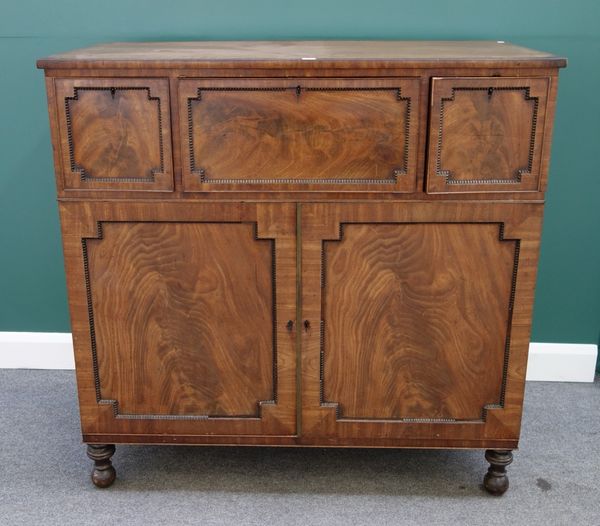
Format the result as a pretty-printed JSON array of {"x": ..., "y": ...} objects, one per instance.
[{"x": 44, "y": 473}]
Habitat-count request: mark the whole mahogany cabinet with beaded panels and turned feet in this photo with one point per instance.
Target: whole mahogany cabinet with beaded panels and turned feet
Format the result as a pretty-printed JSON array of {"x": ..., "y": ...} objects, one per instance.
[{"x": 302, "y": 243}]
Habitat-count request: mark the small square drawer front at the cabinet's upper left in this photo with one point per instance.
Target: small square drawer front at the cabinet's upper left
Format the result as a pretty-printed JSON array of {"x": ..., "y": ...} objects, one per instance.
[{"x": 115, "y": 134}]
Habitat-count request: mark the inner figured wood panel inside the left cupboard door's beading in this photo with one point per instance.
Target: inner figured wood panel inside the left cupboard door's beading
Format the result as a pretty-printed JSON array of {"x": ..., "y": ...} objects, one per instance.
[{"x": 183, "y": 318}]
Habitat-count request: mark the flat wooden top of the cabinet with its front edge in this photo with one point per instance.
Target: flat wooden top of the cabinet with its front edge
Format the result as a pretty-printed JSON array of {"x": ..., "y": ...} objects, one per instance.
[{"x": 303, "y": 54}]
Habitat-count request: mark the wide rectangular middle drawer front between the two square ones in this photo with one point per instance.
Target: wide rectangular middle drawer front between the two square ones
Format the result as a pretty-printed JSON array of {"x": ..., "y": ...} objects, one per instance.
[{"x": 299, "y": 134}]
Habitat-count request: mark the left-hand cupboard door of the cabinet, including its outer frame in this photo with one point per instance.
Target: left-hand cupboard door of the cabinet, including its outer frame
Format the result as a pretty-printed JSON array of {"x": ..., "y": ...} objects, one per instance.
[{"x": 180, "y": 318}]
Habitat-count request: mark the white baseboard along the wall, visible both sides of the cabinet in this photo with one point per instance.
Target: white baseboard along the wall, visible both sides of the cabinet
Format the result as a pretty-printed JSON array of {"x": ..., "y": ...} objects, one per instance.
[{"x": 549, "y": 362}]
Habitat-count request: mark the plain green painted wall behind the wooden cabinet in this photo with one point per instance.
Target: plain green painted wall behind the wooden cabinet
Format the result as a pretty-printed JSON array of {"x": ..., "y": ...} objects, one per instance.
[{"x": 32, "y": 283}]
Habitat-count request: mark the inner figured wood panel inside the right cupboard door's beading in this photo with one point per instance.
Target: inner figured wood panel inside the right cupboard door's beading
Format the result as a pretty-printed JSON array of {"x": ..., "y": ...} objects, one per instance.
[{"x": 425, "y": 310}]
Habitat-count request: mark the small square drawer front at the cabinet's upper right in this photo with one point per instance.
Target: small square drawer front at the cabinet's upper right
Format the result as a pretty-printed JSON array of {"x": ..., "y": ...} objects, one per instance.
[{"x": 486, "y": 134}]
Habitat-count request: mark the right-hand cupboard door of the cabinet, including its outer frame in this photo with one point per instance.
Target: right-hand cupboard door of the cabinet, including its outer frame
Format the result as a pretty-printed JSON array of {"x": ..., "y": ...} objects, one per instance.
[{"x": 417, "y": 320}]
